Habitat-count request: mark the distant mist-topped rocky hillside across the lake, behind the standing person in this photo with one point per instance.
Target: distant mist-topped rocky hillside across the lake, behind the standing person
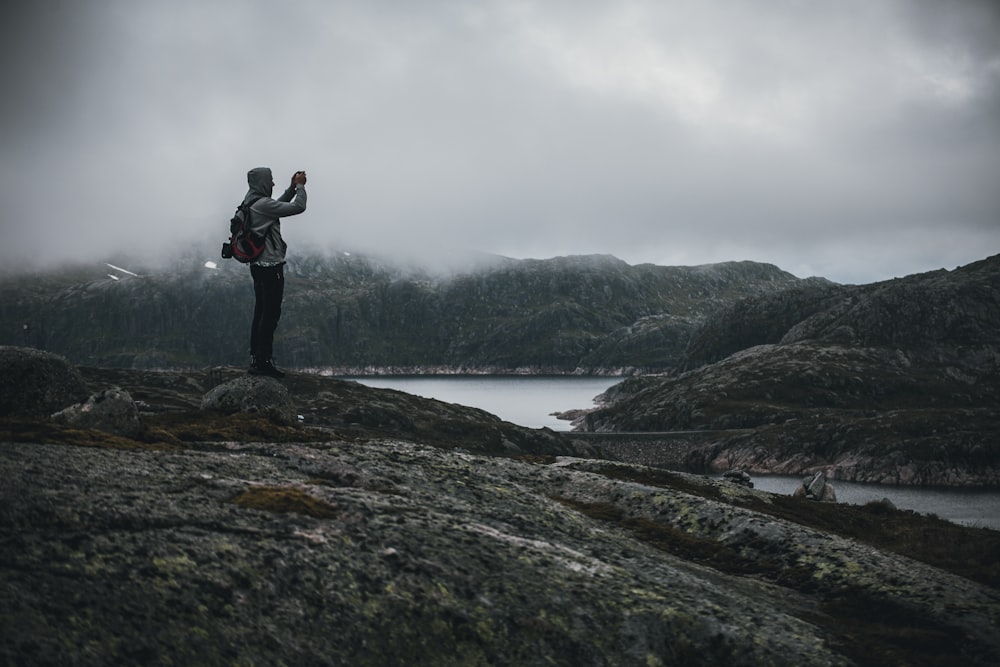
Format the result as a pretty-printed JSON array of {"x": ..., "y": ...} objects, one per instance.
[{"x": 590, "y": 313}]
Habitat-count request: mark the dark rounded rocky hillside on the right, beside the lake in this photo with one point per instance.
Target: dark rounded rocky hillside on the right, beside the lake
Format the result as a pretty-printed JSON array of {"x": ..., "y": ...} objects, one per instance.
[{"x": 895, "y": 382}]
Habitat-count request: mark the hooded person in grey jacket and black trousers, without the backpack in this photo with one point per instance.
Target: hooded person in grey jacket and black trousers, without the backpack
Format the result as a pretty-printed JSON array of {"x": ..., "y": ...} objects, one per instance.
[{"x": 268, "y": 269}]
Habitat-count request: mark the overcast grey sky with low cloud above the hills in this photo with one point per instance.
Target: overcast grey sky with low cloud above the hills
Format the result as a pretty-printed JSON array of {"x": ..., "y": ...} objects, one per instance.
[{"x": 853, "y": 139}]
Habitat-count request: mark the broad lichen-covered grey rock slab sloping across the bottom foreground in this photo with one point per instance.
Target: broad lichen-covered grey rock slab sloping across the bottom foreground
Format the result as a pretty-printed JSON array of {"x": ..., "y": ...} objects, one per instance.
[{"x": 386, "y": 553}]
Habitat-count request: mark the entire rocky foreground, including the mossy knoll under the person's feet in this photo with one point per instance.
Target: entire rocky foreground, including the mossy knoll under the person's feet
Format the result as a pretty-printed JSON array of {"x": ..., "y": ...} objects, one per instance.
[{"x": 385, "y": 529}]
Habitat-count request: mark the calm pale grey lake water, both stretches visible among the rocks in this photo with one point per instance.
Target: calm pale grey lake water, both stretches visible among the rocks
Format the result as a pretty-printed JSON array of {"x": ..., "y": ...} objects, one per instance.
[{"x": 530, "y": 400}]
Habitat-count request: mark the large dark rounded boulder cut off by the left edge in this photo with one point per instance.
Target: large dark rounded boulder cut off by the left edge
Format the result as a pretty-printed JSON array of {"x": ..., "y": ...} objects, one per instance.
[{"x": 34, "y": 383}]
